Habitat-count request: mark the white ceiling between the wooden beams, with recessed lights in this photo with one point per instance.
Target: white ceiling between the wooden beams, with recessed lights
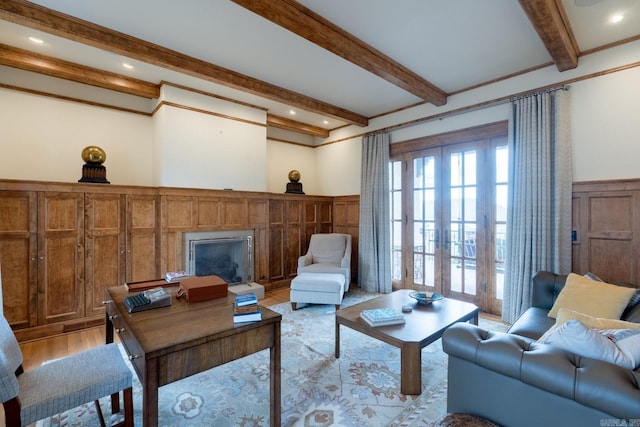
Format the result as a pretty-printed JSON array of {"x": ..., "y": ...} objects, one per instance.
[{"x": 454, "y": 44}]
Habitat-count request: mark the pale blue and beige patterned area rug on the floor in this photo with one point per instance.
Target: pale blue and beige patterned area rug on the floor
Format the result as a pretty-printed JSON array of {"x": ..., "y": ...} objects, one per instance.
[{"x": 362, "y": 388}]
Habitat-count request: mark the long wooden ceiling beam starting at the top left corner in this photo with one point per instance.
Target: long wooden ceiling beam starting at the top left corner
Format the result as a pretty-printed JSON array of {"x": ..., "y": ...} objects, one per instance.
[{"x": 53, "y": 22}]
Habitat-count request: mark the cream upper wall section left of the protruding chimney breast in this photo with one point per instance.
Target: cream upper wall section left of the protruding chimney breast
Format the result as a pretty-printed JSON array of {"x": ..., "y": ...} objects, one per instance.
[{"x": 41, "y": 138}]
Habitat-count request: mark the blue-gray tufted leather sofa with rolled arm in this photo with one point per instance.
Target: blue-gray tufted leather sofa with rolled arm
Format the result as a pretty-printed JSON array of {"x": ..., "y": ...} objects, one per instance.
[{"x": 512, "y": 380}]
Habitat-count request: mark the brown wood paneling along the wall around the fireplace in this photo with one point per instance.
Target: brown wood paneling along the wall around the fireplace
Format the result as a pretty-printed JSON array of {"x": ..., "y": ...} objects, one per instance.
[{"x": 61, "y": 244}]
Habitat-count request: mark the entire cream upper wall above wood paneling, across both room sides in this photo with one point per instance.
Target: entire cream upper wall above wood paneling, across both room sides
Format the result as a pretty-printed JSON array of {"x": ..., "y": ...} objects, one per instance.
[{"x": 41, "y": 138}]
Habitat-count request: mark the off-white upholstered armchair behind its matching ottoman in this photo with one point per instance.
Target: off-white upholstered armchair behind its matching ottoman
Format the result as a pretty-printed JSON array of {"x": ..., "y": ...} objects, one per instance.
[{"x": 328, "y": 253}]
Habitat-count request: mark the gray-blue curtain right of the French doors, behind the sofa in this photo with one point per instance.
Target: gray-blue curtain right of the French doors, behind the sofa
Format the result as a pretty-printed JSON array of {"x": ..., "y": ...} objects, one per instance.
[{"x": 540, "y": 180}]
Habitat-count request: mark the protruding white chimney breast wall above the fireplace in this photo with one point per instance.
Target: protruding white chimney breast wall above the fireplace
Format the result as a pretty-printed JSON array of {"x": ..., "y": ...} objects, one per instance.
[{"x": 212, "y": 144}]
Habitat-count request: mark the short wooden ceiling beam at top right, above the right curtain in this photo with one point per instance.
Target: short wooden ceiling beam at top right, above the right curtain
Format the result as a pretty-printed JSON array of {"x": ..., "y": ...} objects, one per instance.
[{"x": 550, "y": 21}]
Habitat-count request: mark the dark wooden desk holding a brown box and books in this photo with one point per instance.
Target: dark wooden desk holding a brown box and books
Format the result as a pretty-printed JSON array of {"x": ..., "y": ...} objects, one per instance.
[{"x": 170, "y": 343}]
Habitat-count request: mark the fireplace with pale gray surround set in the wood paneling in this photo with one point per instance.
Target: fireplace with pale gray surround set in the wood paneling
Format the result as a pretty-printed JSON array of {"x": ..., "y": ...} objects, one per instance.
[{"x": 228, "y": 254}]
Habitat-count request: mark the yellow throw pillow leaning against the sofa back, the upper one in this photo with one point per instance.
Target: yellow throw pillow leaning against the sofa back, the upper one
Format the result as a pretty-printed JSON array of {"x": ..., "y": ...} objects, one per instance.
[{"x": 587, "y": 296}]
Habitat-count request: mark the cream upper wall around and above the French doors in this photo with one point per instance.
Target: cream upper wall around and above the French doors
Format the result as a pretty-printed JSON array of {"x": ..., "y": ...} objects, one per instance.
[{"x": 604, "y": 120}]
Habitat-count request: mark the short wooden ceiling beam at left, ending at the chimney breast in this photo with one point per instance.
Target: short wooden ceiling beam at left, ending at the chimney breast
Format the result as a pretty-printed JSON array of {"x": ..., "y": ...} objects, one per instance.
[{"x": 54, "y": 67}]
